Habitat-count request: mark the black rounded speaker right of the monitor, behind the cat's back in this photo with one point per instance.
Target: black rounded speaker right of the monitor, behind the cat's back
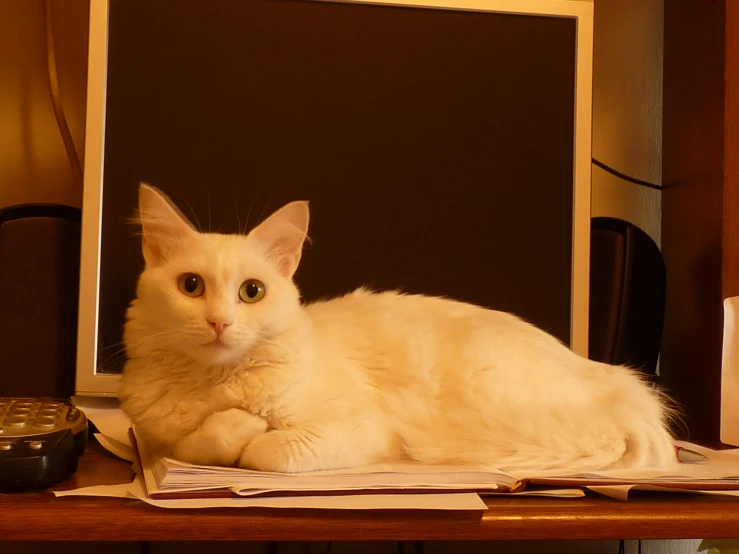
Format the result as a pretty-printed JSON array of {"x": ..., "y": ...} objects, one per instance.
[{"x": 627, "y": 295}]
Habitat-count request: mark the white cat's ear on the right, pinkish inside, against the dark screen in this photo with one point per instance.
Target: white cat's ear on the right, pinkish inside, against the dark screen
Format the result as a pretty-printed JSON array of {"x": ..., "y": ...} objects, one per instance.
[{"x": 282, "y": 234}]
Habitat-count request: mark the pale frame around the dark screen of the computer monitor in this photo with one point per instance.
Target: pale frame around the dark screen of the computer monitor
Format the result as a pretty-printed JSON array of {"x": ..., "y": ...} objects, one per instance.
[{"x": 91, "y": 383}]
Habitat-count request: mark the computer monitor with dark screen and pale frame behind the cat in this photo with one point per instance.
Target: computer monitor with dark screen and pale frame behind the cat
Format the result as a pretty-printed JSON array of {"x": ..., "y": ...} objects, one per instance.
[{"x": 444, "y": 145}]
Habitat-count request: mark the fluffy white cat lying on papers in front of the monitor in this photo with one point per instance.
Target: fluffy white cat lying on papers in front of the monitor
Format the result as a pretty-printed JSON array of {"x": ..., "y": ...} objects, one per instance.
[{"x": 365, "y": 378}]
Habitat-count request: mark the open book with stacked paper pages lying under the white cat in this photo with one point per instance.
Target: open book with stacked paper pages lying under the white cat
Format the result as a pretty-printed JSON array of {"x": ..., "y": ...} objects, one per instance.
[{"x": 167, "y": 478}]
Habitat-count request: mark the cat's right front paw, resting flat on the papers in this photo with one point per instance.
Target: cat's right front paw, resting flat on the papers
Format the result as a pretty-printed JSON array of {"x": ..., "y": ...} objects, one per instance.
[{"x": 278, "y": 451}]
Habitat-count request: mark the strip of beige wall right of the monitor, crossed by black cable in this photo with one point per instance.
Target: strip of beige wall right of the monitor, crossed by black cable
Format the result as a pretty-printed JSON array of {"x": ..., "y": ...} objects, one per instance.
[{"x": 627, "y": 109}]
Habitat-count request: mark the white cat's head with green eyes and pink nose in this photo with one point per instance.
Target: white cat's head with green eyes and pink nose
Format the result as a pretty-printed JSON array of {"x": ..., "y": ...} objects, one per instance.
[{"x": 213, "y": 296}]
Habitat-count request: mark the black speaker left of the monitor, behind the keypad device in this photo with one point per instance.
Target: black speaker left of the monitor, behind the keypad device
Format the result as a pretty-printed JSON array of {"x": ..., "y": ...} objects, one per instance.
[{"x": 39, "y": 285}]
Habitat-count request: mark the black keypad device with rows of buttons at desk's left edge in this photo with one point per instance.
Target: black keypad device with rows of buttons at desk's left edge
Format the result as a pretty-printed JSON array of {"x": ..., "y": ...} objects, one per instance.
[{"x": 41, "y": 441}]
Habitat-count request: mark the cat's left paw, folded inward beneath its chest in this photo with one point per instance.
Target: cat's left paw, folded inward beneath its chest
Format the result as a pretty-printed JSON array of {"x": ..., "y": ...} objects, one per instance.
[{"x": 221, "y": 438}]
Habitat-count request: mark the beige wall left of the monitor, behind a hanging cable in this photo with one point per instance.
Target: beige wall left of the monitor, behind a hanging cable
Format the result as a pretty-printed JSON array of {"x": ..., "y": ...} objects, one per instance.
[{"x": 33, "y": 163}]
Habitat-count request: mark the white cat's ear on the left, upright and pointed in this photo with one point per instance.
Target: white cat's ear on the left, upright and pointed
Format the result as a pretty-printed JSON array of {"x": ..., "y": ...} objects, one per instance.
[{"x": 163, "y": 226}]
